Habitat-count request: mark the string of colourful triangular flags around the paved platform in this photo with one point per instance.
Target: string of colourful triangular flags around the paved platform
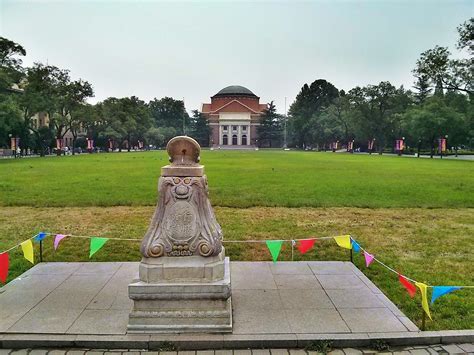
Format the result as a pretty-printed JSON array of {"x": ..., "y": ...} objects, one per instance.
[{"x": 274, "y": 247}]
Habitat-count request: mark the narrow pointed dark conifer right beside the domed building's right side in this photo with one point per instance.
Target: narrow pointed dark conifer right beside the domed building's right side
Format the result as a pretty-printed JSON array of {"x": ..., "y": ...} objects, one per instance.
[{"x": 270, "y": 131}]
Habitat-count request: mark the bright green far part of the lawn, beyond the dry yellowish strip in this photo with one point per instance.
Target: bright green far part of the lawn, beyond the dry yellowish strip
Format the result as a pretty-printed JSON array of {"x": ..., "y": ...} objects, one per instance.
[{"x": 243, "y": 179}]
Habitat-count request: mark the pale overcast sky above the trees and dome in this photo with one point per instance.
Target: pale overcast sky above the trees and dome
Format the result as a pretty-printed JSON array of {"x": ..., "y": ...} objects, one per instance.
[{"x": 191, "y": 50}]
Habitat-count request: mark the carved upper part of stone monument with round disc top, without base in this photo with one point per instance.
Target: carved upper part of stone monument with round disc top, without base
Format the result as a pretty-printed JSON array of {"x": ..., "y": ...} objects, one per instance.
[{"x": 184, "y": 223}]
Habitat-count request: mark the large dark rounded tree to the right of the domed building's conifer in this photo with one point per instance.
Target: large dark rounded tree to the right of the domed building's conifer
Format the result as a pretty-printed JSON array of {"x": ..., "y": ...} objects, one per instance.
[{"x": 304, "y": 111}]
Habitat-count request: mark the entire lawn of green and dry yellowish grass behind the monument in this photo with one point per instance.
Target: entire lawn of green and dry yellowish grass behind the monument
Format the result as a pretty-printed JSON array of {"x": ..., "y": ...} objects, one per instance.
[{"x": 432, "y": 245}]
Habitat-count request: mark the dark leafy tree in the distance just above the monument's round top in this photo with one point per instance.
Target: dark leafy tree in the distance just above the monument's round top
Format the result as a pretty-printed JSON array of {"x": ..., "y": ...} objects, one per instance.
[{"x": 168, "y": 112}]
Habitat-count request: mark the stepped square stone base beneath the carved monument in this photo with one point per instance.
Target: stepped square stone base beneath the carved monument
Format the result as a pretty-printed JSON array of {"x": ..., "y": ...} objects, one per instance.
[{"x": 186, "y": 298}]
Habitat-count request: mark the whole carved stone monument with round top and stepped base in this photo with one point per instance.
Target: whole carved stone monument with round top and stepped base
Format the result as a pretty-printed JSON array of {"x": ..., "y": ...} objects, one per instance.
[{"x": 184, "y": 276}]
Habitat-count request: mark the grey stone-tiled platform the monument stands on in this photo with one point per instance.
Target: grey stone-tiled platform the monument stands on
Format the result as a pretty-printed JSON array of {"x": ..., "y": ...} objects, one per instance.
[{"x": 282, "y": 300}]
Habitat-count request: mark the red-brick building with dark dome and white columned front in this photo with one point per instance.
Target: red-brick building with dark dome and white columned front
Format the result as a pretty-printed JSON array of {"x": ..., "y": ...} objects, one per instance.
[{"x": 234, "y": 115}]
